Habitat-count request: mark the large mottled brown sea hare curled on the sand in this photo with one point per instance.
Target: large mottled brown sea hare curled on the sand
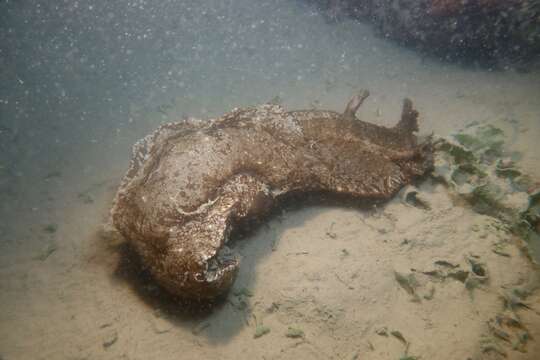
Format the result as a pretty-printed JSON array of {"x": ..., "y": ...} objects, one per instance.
[{"x": 190, "y": 183}]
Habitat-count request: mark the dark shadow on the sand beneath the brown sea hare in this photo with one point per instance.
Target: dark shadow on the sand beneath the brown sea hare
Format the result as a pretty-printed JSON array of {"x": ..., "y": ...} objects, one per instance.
[{"x": 222, "y": 319}]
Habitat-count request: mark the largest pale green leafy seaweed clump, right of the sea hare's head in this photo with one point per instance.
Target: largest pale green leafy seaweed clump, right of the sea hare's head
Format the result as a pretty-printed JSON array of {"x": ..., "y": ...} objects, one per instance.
[{"x": 475, "y": 164}]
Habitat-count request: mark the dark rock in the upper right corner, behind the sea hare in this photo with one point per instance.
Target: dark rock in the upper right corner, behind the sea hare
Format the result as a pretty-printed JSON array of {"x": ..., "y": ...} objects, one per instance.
[{"x": 495, "y": 32}]
